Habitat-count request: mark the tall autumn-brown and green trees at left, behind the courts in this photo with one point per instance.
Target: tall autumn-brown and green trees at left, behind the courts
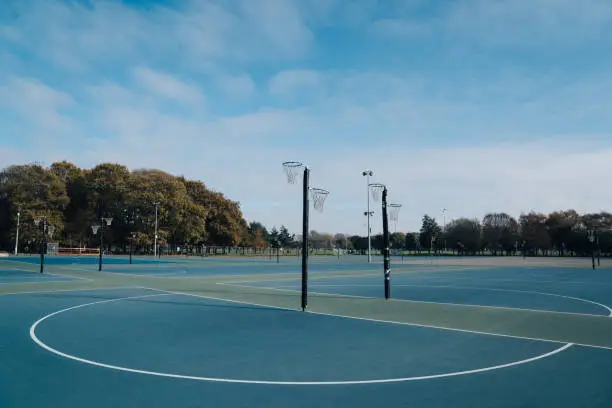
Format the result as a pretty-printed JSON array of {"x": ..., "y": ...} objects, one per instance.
[{"x": 74, "y": 199}]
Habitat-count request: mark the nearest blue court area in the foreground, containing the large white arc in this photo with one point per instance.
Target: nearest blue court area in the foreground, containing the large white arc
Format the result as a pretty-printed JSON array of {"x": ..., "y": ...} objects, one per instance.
[{"x": 138, "y": 347}]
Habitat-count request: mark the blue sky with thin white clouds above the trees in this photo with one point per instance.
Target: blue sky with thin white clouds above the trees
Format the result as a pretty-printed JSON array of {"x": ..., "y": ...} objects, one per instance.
[{"x": 474, "y": 106}]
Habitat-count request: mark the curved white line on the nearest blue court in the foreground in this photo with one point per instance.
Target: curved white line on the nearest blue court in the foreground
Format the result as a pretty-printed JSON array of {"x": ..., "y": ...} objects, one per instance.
[{"x": 230, "y": 380}]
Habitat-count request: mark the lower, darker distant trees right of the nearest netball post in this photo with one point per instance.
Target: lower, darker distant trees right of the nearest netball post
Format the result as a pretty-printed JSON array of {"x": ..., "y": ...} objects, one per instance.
[{"x": 559, "y": 233}]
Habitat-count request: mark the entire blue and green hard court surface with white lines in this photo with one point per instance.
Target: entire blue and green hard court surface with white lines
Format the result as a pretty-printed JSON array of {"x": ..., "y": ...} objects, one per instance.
[{"x": 229, "y": 332}]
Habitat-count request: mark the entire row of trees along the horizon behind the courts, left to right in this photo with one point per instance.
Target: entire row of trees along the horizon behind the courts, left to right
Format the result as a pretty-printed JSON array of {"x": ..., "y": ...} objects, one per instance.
[{"x": 188, "y": 213}]
